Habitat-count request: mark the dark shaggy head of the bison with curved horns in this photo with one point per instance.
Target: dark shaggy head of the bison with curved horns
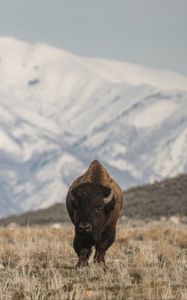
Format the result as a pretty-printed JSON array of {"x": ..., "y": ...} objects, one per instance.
[{"x": 92, "y": 204}]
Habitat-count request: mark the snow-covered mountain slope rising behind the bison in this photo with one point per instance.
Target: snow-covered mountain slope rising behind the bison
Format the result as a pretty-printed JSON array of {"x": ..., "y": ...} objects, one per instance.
[{"x": 59, "y": 111}]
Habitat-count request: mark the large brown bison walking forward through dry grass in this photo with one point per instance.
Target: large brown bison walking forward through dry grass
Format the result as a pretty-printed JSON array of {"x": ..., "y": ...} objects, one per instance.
[{"x": 94, "y": 201}]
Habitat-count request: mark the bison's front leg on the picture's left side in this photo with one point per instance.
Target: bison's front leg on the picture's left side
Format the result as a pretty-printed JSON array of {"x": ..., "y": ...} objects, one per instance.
[{"x": 83, "y": 253}]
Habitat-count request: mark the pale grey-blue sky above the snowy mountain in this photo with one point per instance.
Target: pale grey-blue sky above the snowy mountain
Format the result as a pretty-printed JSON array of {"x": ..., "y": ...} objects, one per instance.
[{"x": 148, "y": 32}]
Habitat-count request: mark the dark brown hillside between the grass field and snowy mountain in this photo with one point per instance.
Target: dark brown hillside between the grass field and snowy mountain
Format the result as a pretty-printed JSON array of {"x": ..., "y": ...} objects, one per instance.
[{"x": 152, "y": 201}]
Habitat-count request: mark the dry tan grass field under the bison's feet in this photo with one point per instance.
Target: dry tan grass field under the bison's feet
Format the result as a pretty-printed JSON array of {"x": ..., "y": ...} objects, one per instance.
[{"x": 146, "y": 262}]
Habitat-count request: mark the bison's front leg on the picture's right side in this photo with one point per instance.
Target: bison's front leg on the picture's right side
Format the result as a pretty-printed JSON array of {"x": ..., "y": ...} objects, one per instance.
[{"x": 107, "y": 240}]
